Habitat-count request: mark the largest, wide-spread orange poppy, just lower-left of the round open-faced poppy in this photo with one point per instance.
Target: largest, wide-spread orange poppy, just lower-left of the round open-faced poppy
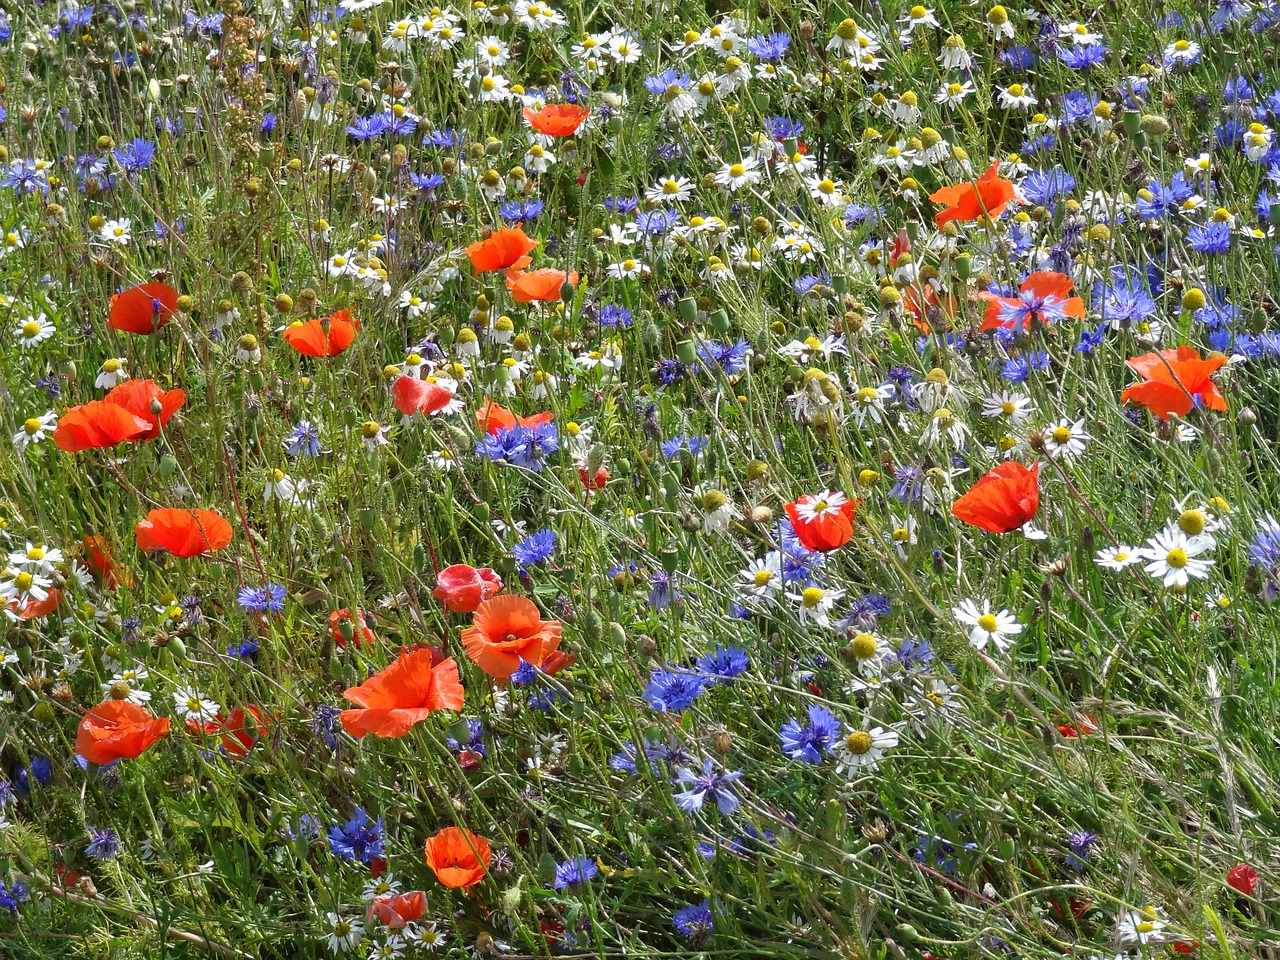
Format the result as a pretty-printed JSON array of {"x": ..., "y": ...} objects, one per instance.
[{"x": 409, "y": 692}]
